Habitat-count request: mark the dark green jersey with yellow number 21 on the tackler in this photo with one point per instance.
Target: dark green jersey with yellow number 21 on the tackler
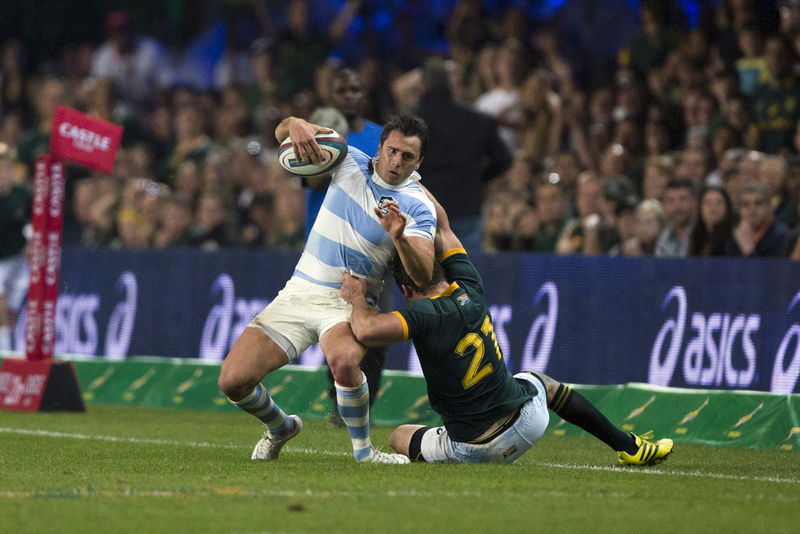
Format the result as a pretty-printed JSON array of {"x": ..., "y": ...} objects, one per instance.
[{"x": 468, "y": 382}]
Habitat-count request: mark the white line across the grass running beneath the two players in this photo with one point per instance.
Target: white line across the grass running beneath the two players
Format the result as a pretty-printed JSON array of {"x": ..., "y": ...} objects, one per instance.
[{"x": 584, "y": 467}]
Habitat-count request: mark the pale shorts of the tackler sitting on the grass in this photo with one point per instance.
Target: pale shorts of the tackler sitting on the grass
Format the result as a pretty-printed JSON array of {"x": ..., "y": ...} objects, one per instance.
[{"x": 529, "y": 427}]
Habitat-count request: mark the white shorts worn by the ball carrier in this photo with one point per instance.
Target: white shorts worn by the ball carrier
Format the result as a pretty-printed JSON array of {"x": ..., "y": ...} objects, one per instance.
[{"x": 300, "y": 314}]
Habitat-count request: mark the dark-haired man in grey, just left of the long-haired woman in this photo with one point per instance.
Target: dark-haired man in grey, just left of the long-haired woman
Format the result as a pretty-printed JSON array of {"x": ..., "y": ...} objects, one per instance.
[{"x": 680, "y": 205}]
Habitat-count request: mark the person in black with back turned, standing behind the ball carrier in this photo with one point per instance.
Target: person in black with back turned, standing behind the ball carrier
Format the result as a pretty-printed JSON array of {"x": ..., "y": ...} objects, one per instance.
[{"x": 456, "y": 168}]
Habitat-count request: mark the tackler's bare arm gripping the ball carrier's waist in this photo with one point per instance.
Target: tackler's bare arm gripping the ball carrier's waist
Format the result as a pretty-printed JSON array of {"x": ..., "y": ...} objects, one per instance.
[{"x": 371, "y": 328}]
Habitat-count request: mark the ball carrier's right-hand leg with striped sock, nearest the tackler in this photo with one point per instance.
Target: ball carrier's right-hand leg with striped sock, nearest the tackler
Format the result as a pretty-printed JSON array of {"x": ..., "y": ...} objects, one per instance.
[{"x": 343, "y": 353}]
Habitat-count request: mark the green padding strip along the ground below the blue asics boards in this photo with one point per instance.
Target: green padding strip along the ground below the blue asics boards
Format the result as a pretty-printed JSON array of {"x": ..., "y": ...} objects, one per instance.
[{"x": 711, "y": 417}]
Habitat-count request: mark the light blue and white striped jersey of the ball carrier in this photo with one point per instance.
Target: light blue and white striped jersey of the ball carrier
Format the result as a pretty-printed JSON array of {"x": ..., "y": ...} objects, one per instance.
[{"x": 347, "y": 235}]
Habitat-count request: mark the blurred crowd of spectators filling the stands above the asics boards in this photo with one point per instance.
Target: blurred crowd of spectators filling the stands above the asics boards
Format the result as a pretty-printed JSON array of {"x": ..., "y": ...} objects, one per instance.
[{"x": 687, "y": 145}]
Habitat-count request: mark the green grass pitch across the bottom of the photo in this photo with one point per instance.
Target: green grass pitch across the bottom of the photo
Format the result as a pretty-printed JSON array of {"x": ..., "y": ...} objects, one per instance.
[{"x": 149, "y": 470}]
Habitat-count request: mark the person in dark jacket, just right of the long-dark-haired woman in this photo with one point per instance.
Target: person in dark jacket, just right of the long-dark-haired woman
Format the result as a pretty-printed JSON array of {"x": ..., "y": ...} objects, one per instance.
[{"x": 758, "y": 233}]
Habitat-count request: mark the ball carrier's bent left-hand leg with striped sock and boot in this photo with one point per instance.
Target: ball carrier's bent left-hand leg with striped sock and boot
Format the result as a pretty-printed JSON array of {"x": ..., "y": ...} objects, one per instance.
[{"x": 251, "y": 358}]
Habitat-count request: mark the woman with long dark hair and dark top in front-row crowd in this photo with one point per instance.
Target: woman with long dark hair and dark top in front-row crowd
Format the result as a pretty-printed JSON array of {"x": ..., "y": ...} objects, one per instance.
[{"x": 712, "y": 235}]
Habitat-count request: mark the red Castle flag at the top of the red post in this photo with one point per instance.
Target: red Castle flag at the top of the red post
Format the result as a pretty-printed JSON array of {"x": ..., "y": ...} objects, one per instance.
[{"x": 83, "y": 139}]
